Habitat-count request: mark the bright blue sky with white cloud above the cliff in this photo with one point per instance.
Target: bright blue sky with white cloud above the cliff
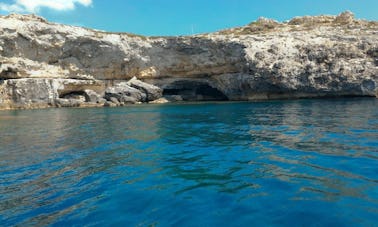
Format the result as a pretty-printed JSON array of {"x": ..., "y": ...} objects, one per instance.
[{"x": 180, "y": 17}]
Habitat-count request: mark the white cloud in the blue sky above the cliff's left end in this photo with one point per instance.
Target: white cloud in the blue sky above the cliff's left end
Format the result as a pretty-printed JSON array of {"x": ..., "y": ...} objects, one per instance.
[{"x": 33, "y": 6}]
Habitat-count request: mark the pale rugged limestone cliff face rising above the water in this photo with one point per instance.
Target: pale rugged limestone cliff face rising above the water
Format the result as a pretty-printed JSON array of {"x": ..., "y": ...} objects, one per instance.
[{"x": 45, "y": 64}]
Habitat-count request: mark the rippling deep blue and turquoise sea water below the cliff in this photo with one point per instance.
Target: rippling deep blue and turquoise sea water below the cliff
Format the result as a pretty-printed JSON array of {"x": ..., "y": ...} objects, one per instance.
[{"x": 278, "y": 163}]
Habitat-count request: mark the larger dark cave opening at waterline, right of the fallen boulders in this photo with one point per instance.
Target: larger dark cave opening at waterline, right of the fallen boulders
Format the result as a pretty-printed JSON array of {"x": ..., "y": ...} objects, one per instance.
[{"x": 194, "y": 91}]
